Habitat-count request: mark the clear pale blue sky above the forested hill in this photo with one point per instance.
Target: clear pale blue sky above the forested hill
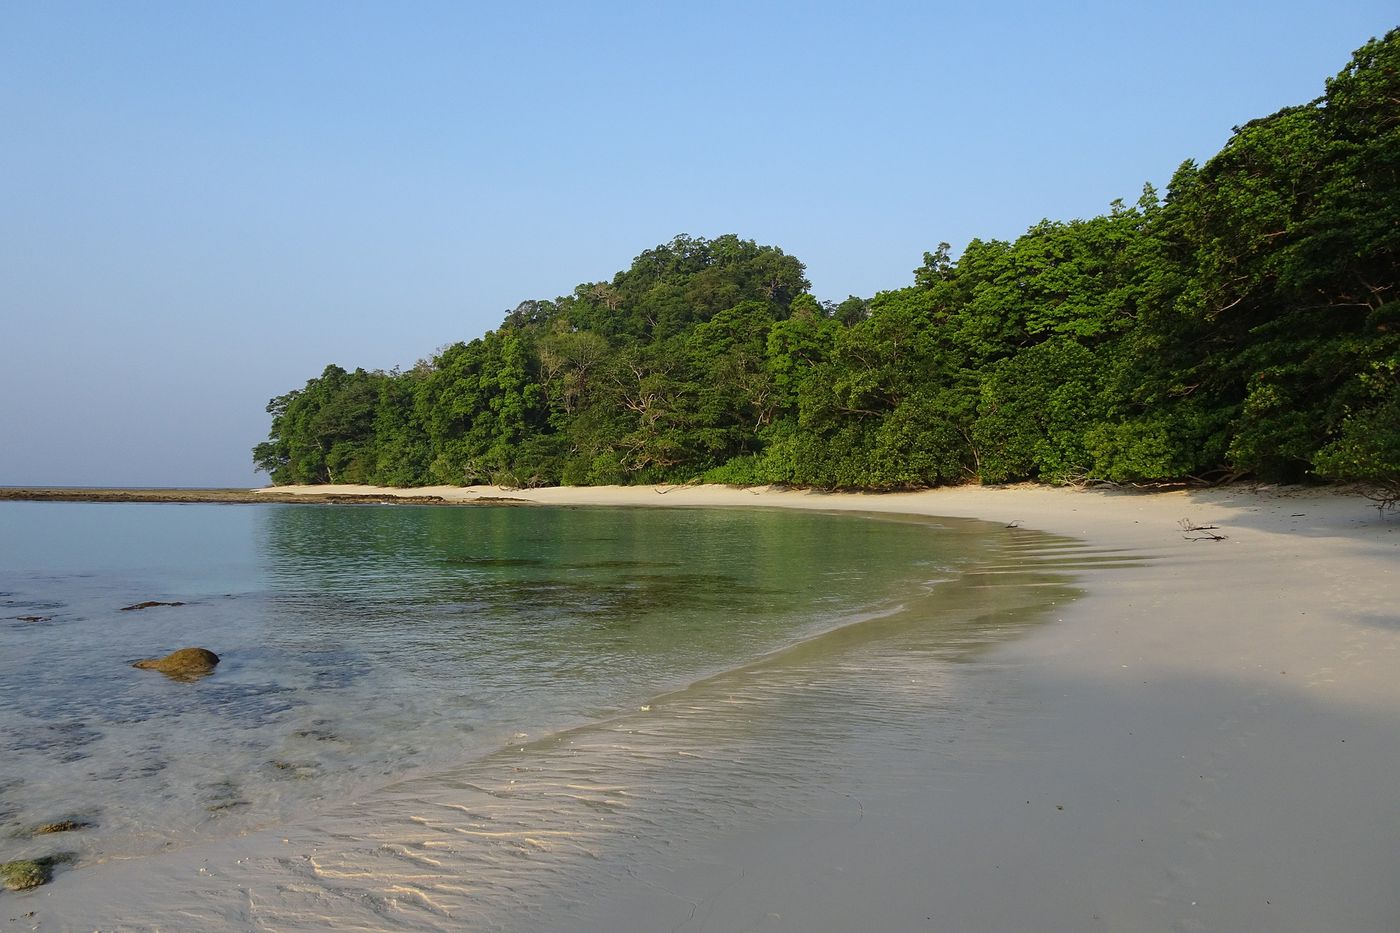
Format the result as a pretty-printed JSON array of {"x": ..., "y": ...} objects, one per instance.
[{"x": 202, "y": 205}]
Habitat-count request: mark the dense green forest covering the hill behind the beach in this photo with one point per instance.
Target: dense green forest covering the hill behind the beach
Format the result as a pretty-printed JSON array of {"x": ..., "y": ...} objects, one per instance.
[{"x": 1245, "y": 323}]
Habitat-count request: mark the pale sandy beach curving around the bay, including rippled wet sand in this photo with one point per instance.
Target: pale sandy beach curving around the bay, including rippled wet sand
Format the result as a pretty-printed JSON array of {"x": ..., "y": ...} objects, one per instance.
[{"x": 1207, "y": 740}]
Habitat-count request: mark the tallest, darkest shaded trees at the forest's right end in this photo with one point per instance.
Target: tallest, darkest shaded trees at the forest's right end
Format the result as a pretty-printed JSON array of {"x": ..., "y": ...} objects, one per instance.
[{"x": 1289, "y": 249}]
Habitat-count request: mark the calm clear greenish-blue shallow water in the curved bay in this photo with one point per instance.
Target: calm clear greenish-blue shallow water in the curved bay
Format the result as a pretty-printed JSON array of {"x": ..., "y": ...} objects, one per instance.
[{"x": 362, "y": 645}]
